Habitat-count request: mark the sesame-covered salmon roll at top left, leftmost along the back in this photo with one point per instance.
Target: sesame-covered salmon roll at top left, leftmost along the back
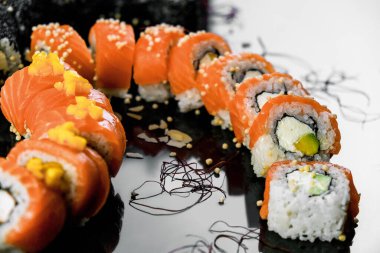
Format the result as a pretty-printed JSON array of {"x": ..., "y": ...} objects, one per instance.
[{"x": 67, "y": 44}]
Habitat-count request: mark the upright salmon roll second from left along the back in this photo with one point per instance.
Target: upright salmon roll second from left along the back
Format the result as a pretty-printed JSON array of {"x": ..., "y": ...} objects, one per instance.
[{"x": 113, "y": 45}]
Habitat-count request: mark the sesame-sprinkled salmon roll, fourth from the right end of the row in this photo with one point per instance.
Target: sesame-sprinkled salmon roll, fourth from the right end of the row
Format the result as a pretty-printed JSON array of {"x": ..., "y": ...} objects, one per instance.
[{"x": 218, "y": 81}]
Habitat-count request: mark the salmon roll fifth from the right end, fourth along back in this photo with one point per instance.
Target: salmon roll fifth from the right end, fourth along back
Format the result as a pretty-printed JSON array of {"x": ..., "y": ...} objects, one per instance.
[{"x": 191, "y": 52}]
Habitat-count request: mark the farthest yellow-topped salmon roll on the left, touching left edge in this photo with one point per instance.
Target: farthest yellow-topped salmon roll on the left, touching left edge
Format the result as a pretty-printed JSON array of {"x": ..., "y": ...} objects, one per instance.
[{"x": 25, "y": 84}]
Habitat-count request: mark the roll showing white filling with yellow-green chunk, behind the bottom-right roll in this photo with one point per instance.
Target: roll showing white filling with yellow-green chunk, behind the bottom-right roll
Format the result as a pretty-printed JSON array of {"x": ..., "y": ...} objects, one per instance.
[{"x": 292, "y": 128}]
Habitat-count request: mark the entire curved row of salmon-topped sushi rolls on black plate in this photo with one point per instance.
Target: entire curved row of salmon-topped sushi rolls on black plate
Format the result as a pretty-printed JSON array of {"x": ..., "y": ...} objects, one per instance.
[{"x": 71, "y": 142}]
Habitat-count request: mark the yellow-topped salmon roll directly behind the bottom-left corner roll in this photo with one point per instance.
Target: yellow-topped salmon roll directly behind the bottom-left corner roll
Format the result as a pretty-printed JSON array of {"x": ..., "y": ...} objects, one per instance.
[{"x": 63, "y": 168}]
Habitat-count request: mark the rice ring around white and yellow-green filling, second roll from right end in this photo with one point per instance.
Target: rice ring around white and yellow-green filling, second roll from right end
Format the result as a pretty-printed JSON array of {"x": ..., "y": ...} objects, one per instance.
[{"x": 266, "y": 151}]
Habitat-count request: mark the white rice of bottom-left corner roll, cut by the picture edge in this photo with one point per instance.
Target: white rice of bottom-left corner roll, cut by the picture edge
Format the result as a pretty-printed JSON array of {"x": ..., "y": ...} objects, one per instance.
[{"x": 20, "y": 194}]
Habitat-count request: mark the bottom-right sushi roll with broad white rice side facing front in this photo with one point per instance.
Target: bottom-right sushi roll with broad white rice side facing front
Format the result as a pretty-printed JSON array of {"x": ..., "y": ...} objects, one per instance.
[{"x": 309, "y": 200}]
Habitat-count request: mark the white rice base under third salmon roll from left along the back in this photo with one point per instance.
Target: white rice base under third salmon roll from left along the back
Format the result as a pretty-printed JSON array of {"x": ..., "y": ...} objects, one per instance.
[{"x": 155, "y": 92}]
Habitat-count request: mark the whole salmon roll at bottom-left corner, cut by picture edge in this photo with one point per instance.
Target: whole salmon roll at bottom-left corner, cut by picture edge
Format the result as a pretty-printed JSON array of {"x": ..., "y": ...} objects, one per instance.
[{"x": 31, "y": 214}]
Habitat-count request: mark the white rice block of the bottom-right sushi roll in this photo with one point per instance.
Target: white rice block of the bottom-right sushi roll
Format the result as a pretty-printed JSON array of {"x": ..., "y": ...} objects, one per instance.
[{"x": 296, "y": 215}]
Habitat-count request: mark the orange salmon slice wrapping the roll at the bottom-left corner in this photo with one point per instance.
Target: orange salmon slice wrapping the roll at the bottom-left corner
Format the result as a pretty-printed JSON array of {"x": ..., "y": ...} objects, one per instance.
[{"x": 34, "y": 229}]
